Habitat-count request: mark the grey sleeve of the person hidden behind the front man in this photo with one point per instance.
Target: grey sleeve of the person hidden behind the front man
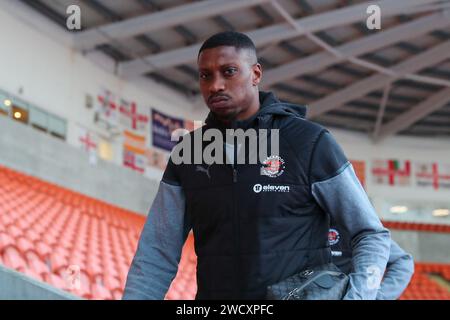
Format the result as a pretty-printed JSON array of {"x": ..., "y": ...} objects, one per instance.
[{"x": 399, "y": 271}]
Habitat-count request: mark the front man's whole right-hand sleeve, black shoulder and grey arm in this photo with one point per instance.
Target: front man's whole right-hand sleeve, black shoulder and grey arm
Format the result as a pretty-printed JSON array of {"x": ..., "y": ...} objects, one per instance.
[{"x": 338, "y": 191}]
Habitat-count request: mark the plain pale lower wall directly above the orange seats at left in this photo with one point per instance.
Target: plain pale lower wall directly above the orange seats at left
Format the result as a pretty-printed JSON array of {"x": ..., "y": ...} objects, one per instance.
[{"x": 37, "y": 154}]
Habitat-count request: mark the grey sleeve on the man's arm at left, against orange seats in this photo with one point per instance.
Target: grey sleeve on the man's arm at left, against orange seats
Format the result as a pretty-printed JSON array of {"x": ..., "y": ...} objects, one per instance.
[{"x": 155, "y": 263}]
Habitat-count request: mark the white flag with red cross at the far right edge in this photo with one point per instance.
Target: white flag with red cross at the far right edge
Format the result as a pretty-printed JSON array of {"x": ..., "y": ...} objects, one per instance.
[{"x": 432, "y": 175}]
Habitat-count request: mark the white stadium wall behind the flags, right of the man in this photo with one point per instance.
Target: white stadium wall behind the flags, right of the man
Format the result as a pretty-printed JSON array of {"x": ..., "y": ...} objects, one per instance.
[{"x": 420, "y": 200}]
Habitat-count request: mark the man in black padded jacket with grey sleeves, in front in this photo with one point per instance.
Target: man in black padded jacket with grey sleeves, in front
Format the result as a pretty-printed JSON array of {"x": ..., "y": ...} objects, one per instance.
[{"x": 255, "y": 224}]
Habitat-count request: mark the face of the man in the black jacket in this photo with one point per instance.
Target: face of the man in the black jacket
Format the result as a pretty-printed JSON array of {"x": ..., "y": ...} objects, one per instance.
[{"x": 228, "y": 80}]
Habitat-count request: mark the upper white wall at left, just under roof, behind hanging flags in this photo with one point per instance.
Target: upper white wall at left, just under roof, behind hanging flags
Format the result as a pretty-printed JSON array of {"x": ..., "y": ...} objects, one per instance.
[{"x": 40, "y": 70}]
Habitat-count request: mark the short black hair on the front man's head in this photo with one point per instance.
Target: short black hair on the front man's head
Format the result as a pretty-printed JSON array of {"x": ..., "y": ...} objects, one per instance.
[{"x": 229, "y": 38}]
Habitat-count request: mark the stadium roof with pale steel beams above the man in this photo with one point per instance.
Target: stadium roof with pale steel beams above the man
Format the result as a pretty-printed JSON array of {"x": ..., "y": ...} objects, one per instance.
[{"x": 316, "y": 52}]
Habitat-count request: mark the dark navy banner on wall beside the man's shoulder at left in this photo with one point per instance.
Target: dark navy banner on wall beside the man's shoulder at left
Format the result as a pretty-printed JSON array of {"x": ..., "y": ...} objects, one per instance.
[{"x": 162, "y": 128}]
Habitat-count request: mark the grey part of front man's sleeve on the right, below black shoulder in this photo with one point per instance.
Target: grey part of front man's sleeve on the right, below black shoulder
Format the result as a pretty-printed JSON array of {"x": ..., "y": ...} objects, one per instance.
[{"x": 343, "y": 197}]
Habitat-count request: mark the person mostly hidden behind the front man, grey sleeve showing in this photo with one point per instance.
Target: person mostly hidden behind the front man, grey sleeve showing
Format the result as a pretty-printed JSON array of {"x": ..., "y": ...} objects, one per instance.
[{"x": 399, "y": 269}]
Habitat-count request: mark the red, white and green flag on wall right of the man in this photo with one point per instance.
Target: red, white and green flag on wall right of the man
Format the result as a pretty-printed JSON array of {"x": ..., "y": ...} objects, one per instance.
[{"x": 391, "y": 172}]
